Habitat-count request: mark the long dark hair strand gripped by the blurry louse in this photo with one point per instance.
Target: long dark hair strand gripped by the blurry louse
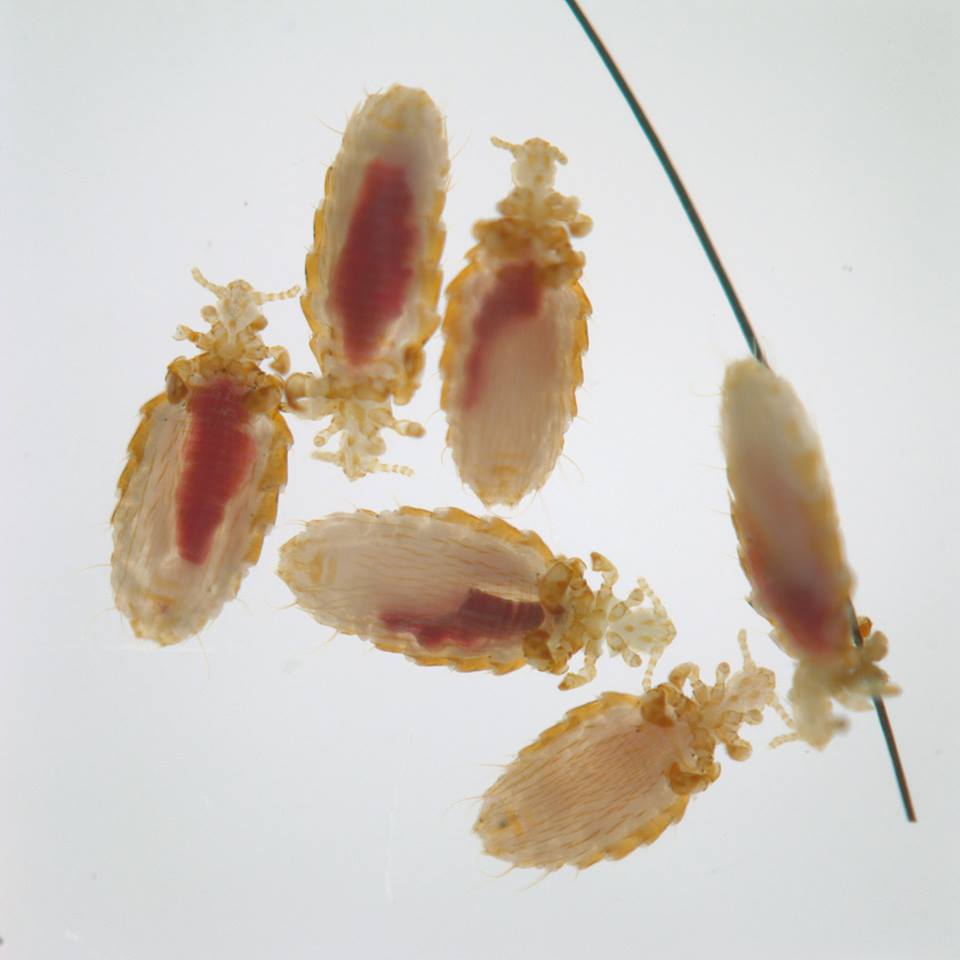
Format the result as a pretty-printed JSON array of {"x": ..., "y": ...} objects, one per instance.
[{"x": 743, "y": 321}]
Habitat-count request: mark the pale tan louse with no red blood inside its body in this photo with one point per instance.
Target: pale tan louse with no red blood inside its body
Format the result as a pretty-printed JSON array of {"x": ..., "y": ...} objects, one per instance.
[{"x": 615, "y": 773}]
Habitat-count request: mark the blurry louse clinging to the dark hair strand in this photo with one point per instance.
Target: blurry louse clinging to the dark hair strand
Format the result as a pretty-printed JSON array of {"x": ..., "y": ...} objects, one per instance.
[{"x": 791, "y": 549}]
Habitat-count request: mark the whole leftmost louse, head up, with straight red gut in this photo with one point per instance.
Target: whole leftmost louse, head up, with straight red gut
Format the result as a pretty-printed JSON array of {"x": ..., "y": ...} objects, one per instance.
[{"x": 204, "y": 470}]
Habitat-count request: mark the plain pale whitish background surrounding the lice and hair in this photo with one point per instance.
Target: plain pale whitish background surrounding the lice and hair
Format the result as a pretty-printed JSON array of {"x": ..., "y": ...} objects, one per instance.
[{"x": 266, "y": 791}]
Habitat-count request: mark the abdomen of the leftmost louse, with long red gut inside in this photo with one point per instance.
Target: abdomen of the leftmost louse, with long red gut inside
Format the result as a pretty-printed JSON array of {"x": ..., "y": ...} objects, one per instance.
[{"x": 180, "y": 551}]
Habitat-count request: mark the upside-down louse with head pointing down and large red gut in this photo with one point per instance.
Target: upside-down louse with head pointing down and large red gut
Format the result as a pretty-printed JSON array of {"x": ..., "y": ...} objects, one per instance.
[{"x": 373, "y": 276}]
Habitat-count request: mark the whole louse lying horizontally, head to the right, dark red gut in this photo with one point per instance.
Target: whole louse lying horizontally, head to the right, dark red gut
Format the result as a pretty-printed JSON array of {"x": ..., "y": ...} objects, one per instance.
[{"x": 445, "y": 587}]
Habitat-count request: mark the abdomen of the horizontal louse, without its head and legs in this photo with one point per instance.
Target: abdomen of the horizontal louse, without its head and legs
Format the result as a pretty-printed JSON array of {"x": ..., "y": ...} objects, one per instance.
[{"x": 438, "y": 588}]
